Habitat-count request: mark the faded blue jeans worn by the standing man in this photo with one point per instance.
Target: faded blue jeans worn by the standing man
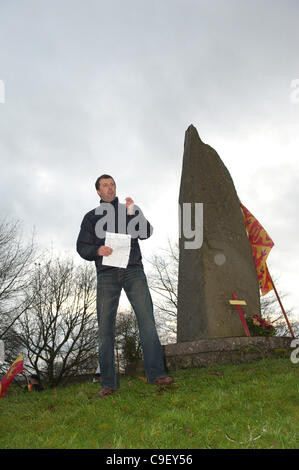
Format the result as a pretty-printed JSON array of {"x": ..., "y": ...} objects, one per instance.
[{"x": 109, "y": 286}]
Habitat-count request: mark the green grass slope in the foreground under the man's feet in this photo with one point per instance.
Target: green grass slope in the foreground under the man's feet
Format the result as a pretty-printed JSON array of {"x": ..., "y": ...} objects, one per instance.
[{"x": 207, "y": 408}]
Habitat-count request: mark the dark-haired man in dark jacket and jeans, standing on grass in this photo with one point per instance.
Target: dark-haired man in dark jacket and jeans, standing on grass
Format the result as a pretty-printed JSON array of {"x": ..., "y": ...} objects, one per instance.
[{"x": 112, "y": 216}]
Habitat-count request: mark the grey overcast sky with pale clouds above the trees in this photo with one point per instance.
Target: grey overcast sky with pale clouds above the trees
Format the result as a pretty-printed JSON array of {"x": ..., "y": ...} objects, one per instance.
[{"x": 110, "y": 87}]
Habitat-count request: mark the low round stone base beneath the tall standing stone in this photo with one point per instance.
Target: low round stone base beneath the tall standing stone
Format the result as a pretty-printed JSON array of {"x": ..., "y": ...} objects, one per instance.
[{"x": 236, "y": 350}]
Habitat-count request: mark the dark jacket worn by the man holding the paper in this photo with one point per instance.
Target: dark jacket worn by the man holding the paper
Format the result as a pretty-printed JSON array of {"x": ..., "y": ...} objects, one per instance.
[{"x": 88, "y": 241}]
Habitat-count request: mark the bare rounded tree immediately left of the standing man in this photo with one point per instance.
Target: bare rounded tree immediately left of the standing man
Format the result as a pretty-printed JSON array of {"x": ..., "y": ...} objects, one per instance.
[{"x": 58, "y": 332}]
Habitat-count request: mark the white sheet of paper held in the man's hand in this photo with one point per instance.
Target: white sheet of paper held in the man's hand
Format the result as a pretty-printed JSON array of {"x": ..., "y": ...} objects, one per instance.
[{"x": 121, "y": 246}]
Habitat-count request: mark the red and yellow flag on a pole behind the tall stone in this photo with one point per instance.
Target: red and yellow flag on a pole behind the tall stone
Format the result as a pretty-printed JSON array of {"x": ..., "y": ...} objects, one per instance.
[{"x": 261, "y": 245}]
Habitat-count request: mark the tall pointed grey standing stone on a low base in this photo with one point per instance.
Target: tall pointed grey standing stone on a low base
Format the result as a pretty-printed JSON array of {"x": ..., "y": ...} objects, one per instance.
[{"x": 223, "y": 264}]
